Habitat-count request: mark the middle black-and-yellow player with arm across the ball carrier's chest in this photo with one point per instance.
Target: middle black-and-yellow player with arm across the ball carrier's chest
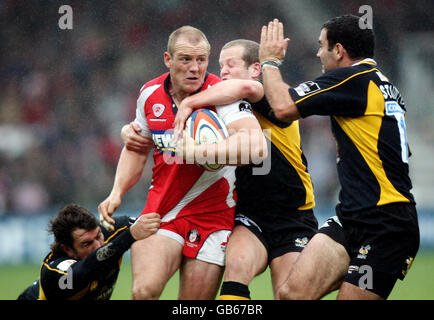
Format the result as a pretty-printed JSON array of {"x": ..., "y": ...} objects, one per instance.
[{"x": 271, "y": 228}]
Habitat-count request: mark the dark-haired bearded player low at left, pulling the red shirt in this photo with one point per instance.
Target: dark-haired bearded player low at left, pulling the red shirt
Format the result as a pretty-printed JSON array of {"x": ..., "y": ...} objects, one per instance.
[{"x": 85, "y": 259}]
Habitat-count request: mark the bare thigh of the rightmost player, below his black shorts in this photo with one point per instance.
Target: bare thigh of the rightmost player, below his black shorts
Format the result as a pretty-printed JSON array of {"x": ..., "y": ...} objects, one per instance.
[{"x": 321, "y": 264}]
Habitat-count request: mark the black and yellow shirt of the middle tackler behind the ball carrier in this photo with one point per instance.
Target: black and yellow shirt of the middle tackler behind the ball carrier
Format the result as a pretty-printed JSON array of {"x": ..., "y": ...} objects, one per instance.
[{"x": 283, "y": 182}]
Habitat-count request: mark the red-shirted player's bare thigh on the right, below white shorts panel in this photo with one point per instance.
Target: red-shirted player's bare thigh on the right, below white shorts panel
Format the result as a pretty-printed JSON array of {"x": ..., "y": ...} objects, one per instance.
[{"x": 199, "y": 279}]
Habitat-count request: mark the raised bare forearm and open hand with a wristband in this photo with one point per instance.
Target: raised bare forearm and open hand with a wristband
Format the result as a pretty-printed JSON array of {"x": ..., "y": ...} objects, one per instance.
[{"x": 271, "y": 53}]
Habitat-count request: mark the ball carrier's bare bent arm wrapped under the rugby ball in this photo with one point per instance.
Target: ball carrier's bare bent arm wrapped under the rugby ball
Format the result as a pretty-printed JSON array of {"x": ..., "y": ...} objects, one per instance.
[{"x": 246, "y": 144}]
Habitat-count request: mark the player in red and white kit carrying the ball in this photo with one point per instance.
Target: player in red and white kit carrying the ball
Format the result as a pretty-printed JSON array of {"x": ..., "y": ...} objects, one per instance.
[{"x": 196, "y": 206}]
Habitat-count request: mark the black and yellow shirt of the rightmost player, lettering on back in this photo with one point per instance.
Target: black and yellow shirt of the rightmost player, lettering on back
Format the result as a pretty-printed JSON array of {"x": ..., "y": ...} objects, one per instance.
[{"x": 367, "y": 120}]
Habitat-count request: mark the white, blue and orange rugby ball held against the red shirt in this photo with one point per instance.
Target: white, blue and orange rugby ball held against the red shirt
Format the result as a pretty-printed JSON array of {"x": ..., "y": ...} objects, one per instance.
[{"x": 205, "y": 127}]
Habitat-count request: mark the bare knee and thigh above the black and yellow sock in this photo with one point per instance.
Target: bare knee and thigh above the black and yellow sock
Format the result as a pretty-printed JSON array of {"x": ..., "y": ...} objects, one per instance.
[{"x": 246, "y": 256}]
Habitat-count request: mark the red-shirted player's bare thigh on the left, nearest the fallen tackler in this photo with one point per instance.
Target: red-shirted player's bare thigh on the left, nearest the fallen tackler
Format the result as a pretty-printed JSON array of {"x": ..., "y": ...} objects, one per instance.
[{"x": 154, "y": 260}]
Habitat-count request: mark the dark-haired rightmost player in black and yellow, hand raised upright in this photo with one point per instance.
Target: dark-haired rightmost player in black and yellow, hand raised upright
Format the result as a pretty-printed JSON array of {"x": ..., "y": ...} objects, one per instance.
[{"x": 375, "y": 233}]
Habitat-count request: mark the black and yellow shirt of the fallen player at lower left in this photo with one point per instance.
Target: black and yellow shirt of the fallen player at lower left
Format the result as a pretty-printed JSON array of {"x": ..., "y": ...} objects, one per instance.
[{"x": 93, "y": 278}]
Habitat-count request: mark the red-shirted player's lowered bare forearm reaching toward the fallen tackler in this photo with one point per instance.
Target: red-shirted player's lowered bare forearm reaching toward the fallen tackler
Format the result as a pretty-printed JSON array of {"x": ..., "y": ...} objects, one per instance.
[{"x": 128, "y": 172}]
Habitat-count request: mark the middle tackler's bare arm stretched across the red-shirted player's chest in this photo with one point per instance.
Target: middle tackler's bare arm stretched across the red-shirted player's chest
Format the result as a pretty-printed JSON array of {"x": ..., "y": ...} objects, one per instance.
[{"x": 222, "y": 93}]
